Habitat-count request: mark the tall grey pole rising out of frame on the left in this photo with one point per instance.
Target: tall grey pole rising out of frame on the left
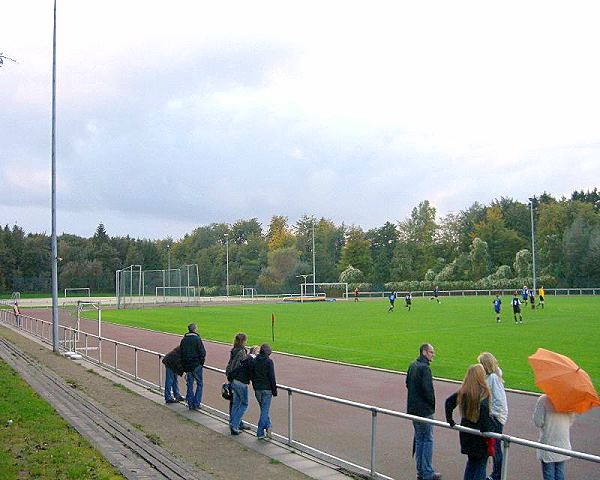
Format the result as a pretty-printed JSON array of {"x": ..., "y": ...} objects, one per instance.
[{"x": 53, "y": 241}]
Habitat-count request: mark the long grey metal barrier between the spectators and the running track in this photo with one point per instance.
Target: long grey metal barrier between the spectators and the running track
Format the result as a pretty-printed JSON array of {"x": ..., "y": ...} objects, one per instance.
[{"x": 69, "y": 341}]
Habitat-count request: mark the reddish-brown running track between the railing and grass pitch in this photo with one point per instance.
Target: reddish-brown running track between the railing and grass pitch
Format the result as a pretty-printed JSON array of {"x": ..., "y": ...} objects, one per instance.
[{"x": 344, "y": 431}]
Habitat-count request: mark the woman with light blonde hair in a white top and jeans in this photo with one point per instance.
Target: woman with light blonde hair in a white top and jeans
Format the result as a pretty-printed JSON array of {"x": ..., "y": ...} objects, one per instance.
[{"x": 499, "y": 407}]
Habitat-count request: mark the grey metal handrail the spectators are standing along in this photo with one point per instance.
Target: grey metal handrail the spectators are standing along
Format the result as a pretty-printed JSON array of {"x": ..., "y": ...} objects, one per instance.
[{"x": 26, "y": 324}]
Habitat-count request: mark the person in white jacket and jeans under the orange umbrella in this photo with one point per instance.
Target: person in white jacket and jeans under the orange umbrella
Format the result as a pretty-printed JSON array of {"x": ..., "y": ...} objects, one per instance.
[{"x": 554, "y": 430}]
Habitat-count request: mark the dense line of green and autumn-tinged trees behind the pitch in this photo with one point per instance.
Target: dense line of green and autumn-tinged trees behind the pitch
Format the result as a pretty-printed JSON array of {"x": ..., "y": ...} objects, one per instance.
[{"x": 482, "y": 246}]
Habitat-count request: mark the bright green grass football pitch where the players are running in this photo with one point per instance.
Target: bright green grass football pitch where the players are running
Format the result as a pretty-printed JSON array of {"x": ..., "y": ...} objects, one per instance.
[{"x": 364, "y": 333}]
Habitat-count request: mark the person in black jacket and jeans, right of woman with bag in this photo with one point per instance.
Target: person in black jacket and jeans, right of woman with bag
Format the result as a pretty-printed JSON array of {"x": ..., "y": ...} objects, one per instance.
[{"x": 265, "y": 388}]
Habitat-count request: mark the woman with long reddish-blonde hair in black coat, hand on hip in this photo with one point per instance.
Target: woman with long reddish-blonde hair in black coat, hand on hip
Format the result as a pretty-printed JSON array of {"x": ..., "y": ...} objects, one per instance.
[{"x": 473, "y": 399}]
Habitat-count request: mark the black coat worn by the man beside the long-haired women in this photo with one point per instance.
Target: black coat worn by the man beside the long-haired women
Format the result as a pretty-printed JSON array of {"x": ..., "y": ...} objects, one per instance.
[{"x": 419, "y": 382}]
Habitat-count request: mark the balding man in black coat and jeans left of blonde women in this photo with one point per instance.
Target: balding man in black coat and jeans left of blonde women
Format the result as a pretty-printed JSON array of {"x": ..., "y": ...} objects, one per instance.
[{"x": 421, "y": 402}]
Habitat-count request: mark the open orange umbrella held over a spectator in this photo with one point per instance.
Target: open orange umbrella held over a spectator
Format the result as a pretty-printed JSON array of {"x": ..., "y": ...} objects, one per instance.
[{"x": 568, "y": 386}]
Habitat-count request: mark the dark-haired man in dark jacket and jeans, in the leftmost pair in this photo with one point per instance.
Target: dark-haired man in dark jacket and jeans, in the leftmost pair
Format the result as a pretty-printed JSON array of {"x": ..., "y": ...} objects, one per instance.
[{"x": 193, "y": 355}]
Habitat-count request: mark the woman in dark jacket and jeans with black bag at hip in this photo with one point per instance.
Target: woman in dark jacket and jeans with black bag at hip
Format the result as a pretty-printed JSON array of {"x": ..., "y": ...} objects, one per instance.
[{"x": 238, "y": 374}]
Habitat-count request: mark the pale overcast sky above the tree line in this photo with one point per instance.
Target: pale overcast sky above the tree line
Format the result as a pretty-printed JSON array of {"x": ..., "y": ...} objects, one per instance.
[{"x": 176, "y": 114}]
